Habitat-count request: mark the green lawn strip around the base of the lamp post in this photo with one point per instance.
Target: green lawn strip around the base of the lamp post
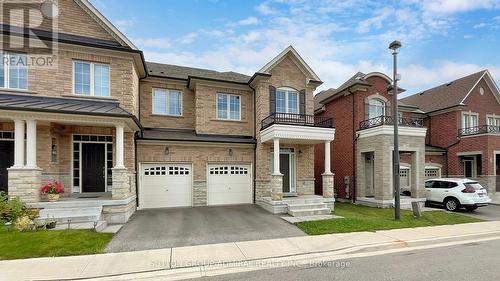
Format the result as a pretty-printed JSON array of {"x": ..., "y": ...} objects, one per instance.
[{"x": 362, "y": 218}]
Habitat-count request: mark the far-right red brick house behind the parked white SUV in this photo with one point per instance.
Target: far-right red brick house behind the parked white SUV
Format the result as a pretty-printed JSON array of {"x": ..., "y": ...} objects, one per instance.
[{"x": 463, "y": 137}]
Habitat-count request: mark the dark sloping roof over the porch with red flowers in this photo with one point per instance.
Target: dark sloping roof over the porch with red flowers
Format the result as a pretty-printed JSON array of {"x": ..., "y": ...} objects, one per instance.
[{"x": 61, "y": 105}]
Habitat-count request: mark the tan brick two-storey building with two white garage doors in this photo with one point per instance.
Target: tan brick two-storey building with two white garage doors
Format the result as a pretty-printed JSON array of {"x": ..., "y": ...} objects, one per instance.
[{"x": 122, "y": 134}]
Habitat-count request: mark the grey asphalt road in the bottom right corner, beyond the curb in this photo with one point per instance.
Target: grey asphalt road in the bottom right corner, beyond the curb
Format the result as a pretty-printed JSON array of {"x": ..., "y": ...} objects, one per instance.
[{"x": 474, "y": 261}]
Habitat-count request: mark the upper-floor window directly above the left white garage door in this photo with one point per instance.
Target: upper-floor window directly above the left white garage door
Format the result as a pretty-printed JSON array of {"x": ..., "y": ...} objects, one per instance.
[{"x": 167, "y": 102}]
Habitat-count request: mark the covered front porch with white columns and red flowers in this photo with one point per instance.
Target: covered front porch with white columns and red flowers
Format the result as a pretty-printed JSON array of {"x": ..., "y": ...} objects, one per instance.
[{"x": 88, "y": 146}]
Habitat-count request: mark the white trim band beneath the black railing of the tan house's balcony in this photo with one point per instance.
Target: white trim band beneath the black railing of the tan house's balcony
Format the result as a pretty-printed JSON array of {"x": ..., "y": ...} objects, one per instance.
[{"x": 299, "y": 133}]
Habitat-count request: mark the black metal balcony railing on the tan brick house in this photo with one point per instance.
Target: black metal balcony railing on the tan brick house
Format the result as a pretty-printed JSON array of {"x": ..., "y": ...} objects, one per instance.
[{"x": 297, "y": 119}]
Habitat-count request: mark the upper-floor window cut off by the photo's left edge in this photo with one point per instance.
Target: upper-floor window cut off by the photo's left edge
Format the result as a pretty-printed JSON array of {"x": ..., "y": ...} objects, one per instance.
[{"x": 14, "y": 71}]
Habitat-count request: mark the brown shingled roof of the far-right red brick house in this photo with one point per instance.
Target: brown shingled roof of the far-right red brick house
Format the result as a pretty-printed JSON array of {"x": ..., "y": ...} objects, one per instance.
[{"x": 446, "y": 95}]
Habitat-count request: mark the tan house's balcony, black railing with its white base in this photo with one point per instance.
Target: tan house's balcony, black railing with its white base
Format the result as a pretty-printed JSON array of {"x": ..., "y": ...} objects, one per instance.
[{"x": 297, "y": 128}]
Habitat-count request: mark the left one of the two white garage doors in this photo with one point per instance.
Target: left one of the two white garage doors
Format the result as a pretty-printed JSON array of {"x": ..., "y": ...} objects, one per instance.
[{"x": 165, "y": 185}]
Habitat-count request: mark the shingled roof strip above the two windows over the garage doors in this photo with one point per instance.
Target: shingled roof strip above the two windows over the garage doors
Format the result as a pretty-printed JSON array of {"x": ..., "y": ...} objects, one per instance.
[{"x": 184, "y": 73}]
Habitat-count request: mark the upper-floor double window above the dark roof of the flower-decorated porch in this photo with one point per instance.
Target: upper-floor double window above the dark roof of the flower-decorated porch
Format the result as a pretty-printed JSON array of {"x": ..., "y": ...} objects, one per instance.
[{"x": 91, "y": 79}]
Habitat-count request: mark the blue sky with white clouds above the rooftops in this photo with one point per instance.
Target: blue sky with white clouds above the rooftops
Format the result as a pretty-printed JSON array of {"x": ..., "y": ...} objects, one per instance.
[{"x": 442, "y": 39}]
